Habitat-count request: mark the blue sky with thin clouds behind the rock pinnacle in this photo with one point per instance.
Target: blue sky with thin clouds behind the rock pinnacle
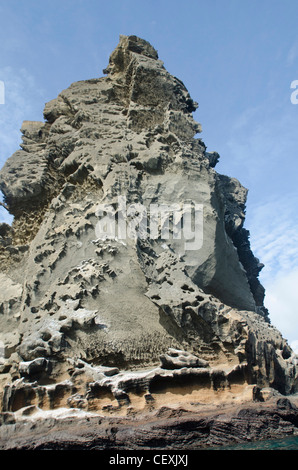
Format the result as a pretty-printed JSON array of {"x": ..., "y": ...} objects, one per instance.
[{"x": 237, "y": 58}]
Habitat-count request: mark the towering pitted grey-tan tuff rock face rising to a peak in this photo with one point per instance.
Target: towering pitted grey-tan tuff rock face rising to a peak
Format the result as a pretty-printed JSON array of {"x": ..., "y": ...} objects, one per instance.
[{"x": 108, "y": 321}]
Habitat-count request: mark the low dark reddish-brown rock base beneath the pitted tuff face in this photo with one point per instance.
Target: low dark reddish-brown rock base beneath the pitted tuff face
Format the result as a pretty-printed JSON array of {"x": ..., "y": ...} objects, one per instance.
[{"x": 169, "y": 428}]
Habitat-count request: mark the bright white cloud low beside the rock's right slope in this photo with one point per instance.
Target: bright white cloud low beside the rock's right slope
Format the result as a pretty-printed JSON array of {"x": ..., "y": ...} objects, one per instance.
[{"x": 274, "y": 239}]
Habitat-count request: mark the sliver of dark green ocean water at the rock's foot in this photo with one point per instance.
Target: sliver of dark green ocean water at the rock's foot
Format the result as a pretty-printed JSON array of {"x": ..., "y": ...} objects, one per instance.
[{"x": 286, "y": 443}]
